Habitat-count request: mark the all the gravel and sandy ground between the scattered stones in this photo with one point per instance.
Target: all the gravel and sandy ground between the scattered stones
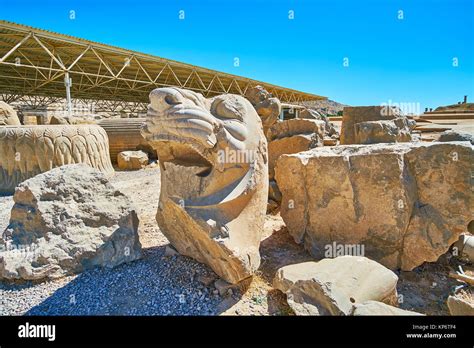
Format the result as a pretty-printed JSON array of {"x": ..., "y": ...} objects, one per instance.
[{"x": 177, "y": 285}]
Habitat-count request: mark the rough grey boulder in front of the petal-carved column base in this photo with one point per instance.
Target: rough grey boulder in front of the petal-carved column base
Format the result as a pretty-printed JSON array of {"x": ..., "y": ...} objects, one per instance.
[{"x": 65, "y": 221}]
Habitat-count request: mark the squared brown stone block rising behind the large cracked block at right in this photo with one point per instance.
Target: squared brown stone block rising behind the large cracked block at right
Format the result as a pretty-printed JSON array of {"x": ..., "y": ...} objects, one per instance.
[{"x": 374, "y": 132}]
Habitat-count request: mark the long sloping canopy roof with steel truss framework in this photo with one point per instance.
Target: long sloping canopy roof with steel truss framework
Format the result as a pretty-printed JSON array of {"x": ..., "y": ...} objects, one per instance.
[{"x": 35, "y": 62}]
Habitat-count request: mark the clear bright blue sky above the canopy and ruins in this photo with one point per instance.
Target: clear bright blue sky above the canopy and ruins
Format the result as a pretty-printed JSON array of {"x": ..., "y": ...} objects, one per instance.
[{"x": 407, "y": 60}]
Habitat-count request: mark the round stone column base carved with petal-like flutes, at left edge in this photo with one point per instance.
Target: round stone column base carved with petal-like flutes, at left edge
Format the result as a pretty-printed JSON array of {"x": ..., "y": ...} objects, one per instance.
[{"x": 26, "y": 151}]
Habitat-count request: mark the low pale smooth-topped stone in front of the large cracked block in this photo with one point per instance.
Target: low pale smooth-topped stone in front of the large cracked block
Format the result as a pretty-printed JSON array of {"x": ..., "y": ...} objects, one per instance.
[{"x": 332, "y": 286}]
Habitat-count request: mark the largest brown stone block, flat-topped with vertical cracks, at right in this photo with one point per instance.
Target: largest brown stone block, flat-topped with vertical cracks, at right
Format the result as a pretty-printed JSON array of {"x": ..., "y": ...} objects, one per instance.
[{"x": 404, "y": 203}]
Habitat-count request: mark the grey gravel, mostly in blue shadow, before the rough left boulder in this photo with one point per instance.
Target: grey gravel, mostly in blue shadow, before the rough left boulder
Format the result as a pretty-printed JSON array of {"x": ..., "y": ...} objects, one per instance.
[{"x": 155, "y": 285}]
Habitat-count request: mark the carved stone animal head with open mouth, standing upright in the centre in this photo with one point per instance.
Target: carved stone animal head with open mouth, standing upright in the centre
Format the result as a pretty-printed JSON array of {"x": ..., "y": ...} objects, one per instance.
[{"x": 214, "y": 179}]
